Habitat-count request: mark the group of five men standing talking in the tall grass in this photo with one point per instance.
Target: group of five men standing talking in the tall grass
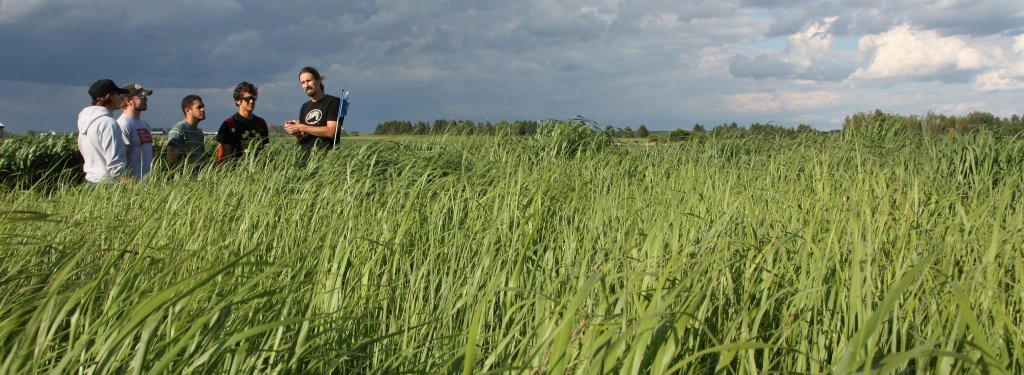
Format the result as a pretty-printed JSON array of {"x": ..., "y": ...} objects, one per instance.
[{"x": 121, "y": 150}]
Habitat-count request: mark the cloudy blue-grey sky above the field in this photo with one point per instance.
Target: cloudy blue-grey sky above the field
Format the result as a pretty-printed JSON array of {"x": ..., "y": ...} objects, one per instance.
[{"x": 663, "y": 64}]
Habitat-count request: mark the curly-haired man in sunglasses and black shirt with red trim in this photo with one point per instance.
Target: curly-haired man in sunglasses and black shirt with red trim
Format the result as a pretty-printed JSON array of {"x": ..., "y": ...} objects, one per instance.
[{"x": 244, "y": 133}]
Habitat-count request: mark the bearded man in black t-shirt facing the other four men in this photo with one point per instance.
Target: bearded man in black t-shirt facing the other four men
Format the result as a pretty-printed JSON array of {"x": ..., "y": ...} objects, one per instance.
[{"x": 318, "y": 123}]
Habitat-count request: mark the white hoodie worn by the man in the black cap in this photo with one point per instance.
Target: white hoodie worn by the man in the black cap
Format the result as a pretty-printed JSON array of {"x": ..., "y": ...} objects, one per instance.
[{"x": 101, "y": 144}]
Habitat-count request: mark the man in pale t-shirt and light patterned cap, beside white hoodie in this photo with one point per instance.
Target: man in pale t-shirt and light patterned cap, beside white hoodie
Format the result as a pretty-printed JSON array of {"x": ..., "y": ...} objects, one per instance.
[{"x": 138, "y": 138}]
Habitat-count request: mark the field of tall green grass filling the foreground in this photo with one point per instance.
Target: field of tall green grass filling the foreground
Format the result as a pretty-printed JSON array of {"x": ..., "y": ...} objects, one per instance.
[{"x": 560, "y": 253}]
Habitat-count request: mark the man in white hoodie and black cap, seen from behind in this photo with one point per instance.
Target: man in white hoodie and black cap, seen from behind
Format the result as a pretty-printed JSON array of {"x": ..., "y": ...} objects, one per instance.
[{"x": 100, "y": 137}]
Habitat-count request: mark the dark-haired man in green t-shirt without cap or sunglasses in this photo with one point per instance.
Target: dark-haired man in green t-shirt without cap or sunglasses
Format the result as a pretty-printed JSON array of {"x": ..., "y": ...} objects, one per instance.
[{"x": 185, "y": 141}]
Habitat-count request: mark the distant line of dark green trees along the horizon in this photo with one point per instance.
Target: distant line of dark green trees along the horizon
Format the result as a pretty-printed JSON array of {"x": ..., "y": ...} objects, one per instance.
[{"x": 876, "y": 122}]
